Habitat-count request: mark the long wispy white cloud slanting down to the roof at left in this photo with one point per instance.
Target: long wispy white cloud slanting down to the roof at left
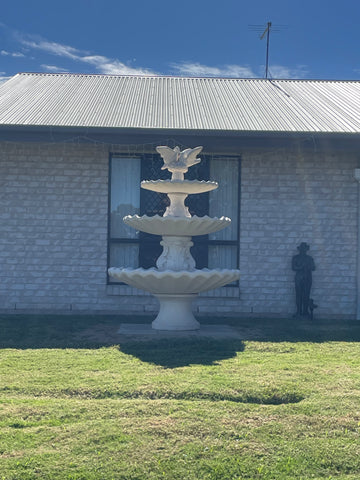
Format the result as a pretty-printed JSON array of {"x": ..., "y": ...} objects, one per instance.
[{"x": 101, "y": 63}]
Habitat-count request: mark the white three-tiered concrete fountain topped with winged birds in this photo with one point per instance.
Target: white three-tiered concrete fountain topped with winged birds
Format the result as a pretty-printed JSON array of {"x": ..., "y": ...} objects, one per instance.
[{"x": 176, "y": 282}]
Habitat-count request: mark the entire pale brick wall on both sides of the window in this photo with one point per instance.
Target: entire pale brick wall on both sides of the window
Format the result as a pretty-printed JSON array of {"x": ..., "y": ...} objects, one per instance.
[{"x": 53, "y": 241}]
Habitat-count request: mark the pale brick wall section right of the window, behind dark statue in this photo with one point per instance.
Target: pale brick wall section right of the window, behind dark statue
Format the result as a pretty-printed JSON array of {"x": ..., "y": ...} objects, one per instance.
[{"x": 287, "y": 199}]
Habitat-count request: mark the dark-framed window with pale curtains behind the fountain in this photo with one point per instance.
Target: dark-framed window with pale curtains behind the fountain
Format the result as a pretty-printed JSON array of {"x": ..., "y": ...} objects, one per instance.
[{"x": 129, "y": 248}]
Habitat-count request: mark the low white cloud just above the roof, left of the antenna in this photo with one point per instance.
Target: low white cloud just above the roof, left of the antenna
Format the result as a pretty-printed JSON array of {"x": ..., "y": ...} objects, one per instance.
[{"x": 198, "y": 69}]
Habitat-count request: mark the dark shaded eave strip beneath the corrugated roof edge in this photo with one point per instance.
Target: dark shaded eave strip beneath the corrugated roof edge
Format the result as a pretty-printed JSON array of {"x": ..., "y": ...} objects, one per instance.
[{"x": 213, "y": 140}]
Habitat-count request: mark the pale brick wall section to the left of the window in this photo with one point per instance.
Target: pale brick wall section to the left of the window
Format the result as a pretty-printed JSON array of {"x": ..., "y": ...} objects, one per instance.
[{"x": 53, "y": 243}]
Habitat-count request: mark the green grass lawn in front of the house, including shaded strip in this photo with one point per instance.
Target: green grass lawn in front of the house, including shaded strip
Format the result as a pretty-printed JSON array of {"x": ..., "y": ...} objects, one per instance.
[{"x": 77, "y": 402}]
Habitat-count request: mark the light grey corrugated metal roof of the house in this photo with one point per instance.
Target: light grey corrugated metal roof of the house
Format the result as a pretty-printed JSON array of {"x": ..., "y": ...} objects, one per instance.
[{"x": 217, "y": 104}]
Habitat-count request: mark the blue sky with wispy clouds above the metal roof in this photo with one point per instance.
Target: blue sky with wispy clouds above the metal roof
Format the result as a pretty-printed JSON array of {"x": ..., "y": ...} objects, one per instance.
[{"x": 315, "y": 39}]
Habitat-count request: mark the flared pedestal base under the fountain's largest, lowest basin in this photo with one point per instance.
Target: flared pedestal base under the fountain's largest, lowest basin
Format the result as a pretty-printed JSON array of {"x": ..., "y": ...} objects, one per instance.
[{"x": 176, "y": 313}]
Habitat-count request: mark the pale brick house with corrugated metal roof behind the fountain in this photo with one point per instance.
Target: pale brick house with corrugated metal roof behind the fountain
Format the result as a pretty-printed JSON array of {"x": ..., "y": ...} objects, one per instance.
[{"x": 73, "y": 149}]
